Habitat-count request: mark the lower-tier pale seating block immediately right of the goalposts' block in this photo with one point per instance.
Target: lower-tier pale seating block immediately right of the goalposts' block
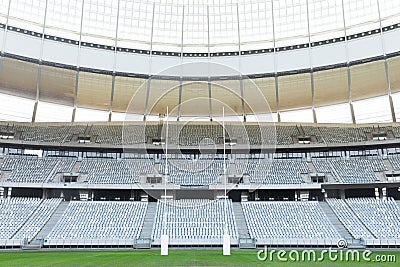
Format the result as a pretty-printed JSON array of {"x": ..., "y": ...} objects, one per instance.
[{"x": 287, "y": 220}]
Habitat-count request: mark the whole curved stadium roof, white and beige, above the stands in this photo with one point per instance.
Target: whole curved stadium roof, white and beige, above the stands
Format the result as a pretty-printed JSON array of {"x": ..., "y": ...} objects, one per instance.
[{"x": 313, "y": 60}]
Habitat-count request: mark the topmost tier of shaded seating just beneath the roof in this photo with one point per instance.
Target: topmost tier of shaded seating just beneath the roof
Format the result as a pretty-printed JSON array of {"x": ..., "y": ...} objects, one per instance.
[{"x": 194, "y": 133}]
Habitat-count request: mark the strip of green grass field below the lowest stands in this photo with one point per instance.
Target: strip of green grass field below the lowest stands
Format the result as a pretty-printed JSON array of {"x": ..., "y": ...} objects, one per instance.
[{"x": 149, "y": 258}]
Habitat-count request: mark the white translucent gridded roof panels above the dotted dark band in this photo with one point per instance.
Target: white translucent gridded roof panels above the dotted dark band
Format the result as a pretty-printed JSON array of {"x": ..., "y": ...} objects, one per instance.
[{"x": 200, "y": 25}]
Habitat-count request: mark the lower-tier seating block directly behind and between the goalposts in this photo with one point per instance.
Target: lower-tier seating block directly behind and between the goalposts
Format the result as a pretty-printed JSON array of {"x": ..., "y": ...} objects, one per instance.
[{"x": 194, "y": 219}]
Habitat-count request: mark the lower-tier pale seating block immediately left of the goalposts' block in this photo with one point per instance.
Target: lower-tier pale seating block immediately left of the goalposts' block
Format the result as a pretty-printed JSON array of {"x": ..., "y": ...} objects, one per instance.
[{"x": 100, "y": 220}]
